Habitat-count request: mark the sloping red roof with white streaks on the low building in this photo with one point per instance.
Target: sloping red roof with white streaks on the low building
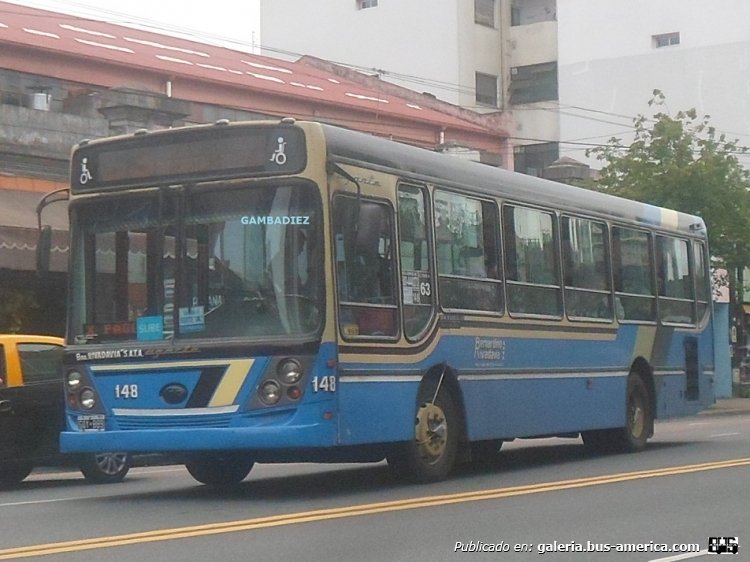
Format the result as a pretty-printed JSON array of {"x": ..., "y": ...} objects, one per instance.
[{"x": 109, "y": 43}]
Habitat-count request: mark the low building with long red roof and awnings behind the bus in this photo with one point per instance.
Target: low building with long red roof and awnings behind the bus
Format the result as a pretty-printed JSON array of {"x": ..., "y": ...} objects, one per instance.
[{"x": 64, "y": 79}]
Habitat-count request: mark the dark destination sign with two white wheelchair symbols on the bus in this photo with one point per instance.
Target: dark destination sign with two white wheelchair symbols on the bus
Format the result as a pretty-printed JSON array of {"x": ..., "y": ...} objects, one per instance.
[{"x": 199, "y": 154}]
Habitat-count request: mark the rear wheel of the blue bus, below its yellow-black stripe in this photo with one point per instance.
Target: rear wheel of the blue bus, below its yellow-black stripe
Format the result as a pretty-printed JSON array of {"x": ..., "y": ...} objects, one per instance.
[{"x": 639, "y": 423}]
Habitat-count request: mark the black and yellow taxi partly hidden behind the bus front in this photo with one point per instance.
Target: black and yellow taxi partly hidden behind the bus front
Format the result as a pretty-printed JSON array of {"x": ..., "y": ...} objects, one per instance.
[{"x": 32, "y": 414}]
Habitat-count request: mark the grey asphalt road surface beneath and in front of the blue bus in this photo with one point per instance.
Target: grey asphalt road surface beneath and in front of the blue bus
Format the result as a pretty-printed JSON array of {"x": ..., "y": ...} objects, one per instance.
[{"x": 545, "y": 497}]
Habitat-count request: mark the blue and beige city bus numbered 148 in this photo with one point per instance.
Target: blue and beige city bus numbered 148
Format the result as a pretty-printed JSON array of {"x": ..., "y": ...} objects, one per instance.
[{"x": 292, "y": 291}]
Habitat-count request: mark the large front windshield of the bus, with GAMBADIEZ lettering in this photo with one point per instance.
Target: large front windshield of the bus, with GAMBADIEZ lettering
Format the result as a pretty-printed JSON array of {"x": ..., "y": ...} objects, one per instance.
[{"x": 192, "y": 263}]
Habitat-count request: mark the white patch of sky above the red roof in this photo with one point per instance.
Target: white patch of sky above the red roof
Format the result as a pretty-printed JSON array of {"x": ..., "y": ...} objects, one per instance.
[{"x": 231, "y": 23}]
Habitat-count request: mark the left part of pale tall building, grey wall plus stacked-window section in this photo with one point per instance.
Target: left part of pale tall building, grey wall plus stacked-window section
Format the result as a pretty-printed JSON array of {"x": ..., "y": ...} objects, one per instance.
[{"x": 489, "y": 56}]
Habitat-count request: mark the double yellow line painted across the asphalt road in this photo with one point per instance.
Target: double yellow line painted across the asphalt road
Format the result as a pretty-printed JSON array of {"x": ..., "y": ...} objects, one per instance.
[{"x": 354, "y": 511}]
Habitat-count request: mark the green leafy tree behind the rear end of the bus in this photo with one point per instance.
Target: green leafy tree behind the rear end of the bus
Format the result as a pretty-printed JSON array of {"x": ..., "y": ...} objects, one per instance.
[{"x": 682, "y": 163}]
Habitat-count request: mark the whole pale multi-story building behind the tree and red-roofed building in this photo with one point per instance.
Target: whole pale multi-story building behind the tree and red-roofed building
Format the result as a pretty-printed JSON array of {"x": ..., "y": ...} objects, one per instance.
[{"x": 573, "y": 74}]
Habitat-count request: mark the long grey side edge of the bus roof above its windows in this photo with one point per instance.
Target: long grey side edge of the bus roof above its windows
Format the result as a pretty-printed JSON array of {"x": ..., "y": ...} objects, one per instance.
[{"x": 417, "y": 163}]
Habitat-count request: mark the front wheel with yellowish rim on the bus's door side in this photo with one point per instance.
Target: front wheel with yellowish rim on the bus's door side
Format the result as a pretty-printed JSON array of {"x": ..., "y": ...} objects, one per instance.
[{"x": 432, "y": 454}]
